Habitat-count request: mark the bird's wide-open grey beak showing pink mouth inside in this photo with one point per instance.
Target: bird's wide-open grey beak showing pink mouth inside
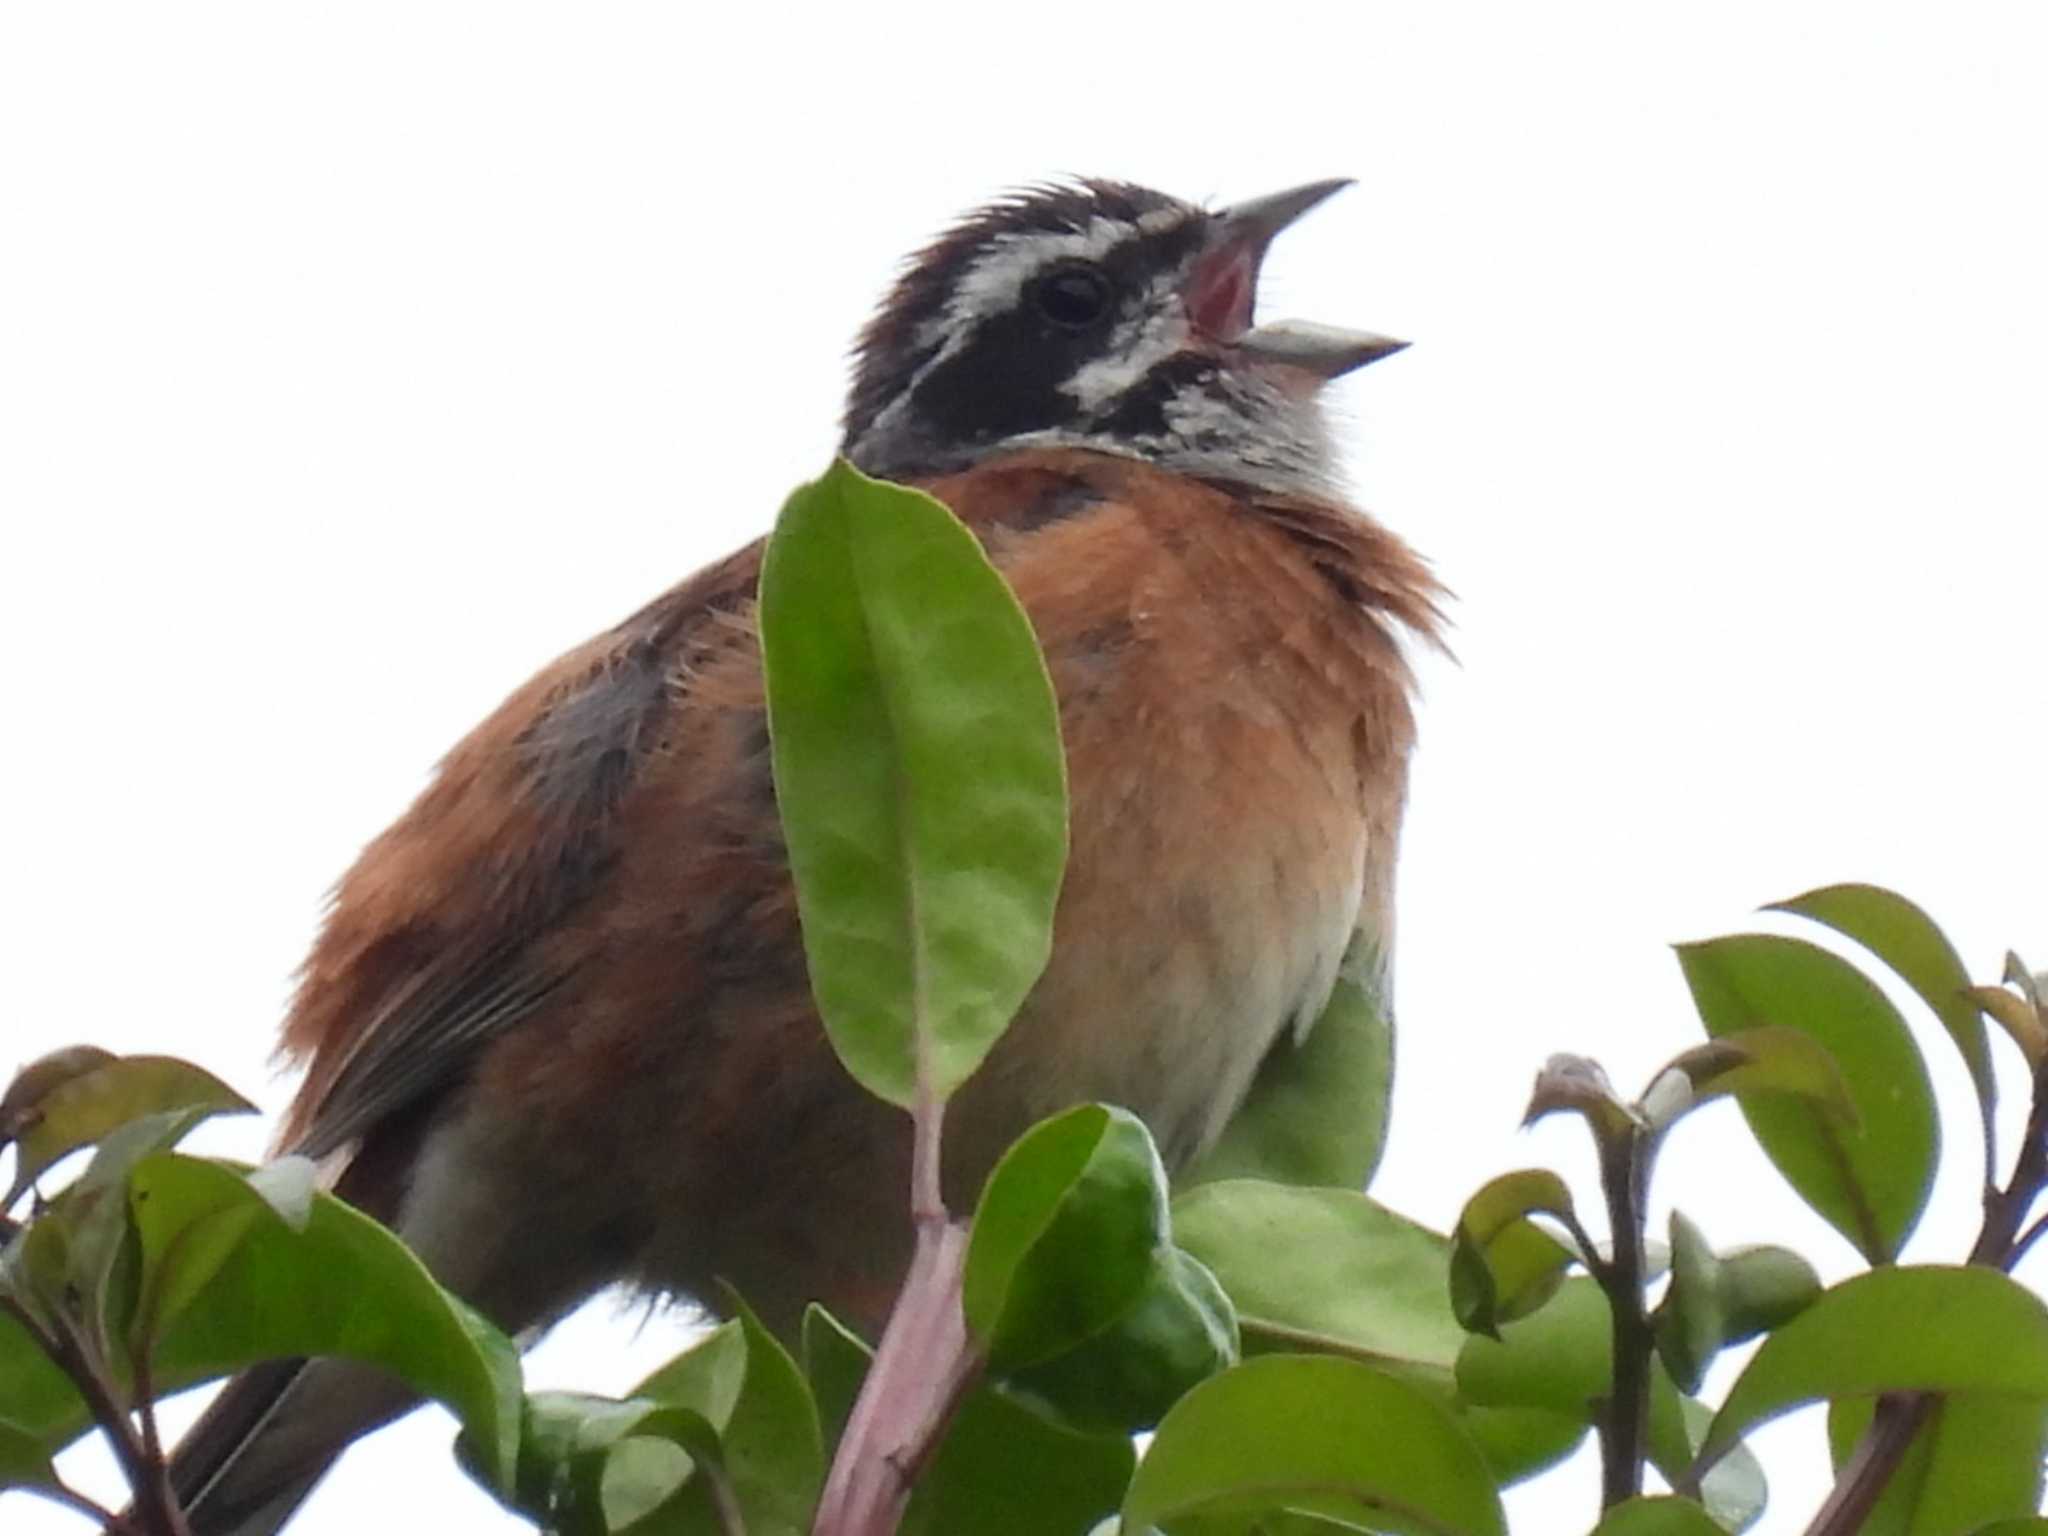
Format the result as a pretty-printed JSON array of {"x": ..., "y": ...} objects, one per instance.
[{"x": 1224, "y": 292}]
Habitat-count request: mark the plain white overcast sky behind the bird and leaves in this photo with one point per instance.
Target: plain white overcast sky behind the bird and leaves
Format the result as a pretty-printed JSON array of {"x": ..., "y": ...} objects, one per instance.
[{"x": 359, "y": 359}]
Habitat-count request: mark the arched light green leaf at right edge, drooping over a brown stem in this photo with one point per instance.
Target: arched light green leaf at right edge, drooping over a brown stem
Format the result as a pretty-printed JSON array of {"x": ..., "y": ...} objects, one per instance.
[{"x": 1930, "y": 1330}]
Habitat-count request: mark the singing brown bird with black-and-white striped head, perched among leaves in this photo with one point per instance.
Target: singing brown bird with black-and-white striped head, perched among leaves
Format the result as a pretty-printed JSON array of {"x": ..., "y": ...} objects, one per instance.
[{"x": 556, "y": 1027}]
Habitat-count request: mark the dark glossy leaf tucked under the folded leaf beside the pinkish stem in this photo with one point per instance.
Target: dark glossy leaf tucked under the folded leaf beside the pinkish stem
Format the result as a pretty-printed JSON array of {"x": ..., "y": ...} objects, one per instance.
[{"x": 1177, "y": 1334}]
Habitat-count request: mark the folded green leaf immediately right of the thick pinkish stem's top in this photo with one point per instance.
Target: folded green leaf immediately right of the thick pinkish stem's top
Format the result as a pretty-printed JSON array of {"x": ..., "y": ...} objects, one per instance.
[{"x": 1064, "y": 1236}]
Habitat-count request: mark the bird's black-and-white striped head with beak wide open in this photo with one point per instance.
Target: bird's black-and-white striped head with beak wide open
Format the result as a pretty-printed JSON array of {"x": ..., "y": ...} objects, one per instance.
[{"x": 1101, "y": 316}]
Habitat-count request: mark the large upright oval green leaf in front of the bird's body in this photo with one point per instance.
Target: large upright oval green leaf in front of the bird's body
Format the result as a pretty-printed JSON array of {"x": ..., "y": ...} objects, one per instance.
[{"x": 919, "y": 773}]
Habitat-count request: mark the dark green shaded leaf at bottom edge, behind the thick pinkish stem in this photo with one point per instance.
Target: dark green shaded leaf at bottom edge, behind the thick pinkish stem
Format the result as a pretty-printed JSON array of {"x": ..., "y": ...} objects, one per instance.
[{"x": 1002, "y": 1467}]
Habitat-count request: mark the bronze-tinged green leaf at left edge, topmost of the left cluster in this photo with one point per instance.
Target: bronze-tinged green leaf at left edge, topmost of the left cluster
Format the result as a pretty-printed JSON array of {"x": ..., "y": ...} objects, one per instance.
[{"x": 77, "y": 1097}]
